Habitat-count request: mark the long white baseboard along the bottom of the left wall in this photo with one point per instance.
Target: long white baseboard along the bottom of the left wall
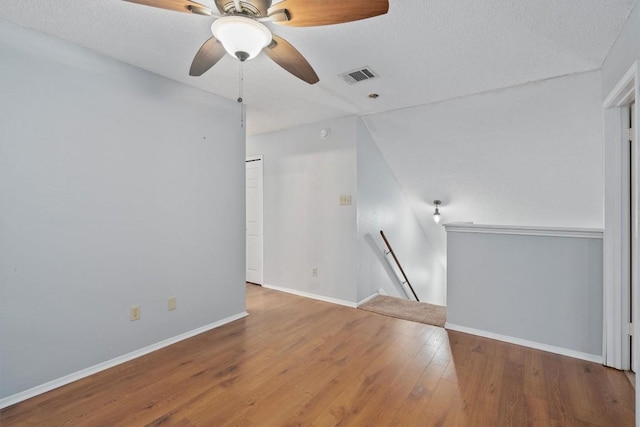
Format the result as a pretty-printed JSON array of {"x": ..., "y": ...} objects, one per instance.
[{"x": 67, "y": 379}]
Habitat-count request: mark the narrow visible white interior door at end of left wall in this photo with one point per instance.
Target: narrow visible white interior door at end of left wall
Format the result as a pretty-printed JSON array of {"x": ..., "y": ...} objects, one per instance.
[{"x": 254, "y": 220}]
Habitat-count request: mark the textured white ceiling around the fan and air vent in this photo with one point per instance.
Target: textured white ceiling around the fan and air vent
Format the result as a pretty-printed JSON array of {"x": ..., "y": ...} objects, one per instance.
[{"x": 423, "y": 50}]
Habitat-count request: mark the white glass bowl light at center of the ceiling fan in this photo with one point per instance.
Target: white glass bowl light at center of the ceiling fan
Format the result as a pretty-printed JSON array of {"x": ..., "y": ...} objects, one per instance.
[{"x": 241, "y": 37}]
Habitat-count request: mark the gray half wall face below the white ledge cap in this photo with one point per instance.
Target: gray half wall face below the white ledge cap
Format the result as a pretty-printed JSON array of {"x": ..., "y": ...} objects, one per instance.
[{"x": 542, "y": 289}]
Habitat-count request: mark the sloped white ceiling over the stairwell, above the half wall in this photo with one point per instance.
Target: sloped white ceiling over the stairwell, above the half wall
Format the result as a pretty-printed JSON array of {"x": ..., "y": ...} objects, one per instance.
[{"x": 530, "y": 155}]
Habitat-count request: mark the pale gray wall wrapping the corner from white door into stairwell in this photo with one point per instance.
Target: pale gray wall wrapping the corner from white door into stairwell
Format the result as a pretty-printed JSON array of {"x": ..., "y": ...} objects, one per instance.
[{"x": 305, "y": 227}]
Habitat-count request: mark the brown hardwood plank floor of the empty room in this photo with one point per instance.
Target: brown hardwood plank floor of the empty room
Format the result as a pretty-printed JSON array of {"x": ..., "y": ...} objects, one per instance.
[{"x": 300, "y": 362}]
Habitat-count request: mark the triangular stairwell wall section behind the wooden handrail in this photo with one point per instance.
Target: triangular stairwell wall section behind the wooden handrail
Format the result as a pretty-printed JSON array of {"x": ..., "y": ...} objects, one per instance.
[{"x": 383, "y": 206}]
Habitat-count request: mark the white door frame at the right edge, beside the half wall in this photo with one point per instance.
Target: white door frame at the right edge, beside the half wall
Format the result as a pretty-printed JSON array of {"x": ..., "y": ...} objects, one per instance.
[{"x": 617, "y": 228}]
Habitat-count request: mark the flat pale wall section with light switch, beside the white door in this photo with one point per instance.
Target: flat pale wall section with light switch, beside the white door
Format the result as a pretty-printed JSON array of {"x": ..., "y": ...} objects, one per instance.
[{"x": 304, "y": 226}]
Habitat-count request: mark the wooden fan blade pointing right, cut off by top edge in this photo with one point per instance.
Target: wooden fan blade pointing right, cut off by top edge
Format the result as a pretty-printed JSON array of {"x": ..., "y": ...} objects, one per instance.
[{"x": 311, "y": 13}]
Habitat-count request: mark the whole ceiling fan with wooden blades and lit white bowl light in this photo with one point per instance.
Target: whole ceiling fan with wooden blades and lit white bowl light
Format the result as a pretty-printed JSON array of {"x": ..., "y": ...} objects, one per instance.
[{"x": 239, "y": 30}]
